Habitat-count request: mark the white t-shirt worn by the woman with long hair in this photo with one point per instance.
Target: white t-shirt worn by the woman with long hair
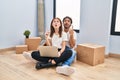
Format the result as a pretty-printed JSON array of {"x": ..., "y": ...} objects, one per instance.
[{"x": 57, "y": 41}]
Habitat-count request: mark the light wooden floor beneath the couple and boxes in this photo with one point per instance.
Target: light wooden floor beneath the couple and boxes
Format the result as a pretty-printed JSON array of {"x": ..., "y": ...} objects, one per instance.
[{"x": 16, "y": 67}]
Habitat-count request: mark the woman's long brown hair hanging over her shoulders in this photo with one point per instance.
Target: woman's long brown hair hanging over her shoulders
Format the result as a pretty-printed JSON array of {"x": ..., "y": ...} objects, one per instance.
[{"x": 52, "y": 30}]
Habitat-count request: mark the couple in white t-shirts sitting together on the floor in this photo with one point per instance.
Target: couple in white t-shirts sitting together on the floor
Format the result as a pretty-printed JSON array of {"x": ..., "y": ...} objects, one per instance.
[{"x": 64, "y": 40}]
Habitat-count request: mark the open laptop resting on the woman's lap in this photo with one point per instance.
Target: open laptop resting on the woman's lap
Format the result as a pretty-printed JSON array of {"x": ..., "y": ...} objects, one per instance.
[{"x": 48, "y": 51}]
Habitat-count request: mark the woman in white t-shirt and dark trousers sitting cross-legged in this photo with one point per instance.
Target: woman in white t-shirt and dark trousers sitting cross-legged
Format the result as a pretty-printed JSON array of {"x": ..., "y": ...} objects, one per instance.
[{"x": 56, "y": 37}]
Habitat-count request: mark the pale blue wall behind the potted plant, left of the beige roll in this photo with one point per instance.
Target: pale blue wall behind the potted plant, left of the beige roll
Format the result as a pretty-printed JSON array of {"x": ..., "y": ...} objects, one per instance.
[{"x": 15, "y": 17}]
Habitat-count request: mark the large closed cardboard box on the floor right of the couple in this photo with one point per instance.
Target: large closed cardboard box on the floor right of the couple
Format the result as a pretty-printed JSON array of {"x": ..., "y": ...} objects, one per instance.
[{"x": 91, "y": 54}]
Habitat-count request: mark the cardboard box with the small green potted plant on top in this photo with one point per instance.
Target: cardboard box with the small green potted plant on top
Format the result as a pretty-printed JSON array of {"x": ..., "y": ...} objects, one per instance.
[{"x": 32, "y": 43}]
